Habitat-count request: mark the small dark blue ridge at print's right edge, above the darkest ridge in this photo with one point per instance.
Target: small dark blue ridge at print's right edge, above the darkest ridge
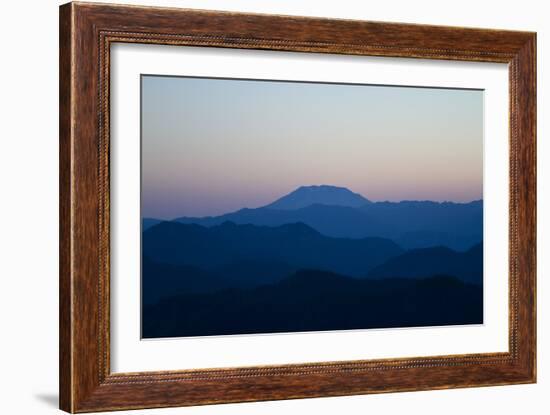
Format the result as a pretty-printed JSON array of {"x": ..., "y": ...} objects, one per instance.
[{"x": 468, "y": 265}]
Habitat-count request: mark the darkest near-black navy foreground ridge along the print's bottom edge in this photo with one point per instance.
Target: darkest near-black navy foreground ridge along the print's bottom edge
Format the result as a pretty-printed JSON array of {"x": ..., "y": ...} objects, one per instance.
[{"x": 313, "y": 300}]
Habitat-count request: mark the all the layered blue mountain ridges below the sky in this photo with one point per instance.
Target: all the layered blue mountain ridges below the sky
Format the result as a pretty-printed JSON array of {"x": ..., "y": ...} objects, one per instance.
[{"x": 320, "y": 258}]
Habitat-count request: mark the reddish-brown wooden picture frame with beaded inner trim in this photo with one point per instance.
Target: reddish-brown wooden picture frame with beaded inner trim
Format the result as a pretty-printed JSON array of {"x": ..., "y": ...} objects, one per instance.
[{"x": 86, "y": 33}]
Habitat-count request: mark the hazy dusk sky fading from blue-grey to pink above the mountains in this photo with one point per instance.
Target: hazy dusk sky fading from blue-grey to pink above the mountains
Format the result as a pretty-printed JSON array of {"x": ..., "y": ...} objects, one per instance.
[{"x": 211, "y": 146}]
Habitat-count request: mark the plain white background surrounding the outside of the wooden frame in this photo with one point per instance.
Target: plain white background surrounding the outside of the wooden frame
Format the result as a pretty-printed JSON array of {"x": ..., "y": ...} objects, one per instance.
[{"x": 28, "y": 210}]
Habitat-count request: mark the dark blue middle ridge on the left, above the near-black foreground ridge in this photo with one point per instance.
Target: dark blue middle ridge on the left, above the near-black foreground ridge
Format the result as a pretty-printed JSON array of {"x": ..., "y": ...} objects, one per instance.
[{"x": 294, "y": 244}]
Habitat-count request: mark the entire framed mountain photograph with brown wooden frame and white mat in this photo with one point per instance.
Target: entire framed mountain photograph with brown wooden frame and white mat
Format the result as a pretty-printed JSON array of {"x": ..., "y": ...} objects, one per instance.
[{"x": 258, "y": 207}]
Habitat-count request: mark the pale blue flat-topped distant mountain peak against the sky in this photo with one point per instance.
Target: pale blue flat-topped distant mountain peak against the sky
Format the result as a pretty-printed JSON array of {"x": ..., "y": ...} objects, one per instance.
[{"x": 323, "y": 194}]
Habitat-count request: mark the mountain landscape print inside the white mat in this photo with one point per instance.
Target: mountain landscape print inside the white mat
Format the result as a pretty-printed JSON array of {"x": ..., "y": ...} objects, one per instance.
[{"x": 274, "y": 206}]
